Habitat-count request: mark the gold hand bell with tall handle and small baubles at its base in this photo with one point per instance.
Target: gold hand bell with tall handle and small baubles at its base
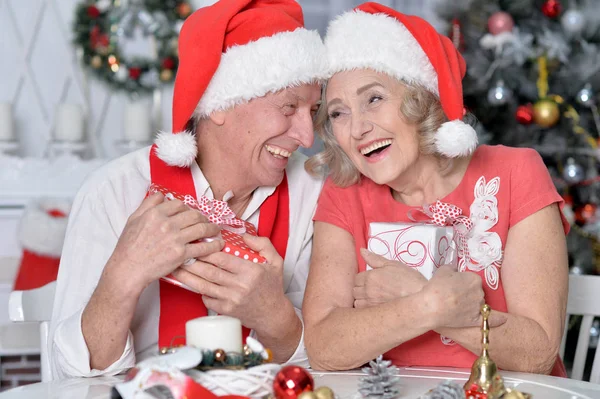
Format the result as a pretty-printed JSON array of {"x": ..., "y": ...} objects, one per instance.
[{"x": 485, "y": 382}]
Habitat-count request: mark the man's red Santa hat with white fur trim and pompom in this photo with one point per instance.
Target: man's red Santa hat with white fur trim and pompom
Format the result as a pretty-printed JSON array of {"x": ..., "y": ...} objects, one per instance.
[{"x": 234, "y": 51}]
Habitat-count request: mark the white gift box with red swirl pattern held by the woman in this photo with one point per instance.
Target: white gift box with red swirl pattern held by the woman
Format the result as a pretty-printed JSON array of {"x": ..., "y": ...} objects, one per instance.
[{"x": 424, "y": 247}]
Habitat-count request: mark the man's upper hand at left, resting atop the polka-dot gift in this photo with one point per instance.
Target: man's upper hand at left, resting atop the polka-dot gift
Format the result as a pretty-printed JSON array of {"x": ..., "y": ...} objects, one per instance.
[{"x": 158, "y": 237}]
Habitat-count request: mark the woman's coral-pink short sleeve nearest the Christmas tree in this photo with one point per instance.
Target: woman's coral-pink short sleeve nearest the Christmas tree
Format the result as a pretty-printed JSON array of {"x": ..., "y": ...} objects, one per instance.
[{"x": 532, "y": 188}]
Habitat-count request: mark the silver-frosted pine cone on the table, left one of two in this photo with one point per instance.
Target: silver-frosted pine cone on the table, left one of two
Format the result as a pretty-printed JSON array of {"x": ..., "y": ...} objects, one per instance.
[{"x": 381, "y": 381}]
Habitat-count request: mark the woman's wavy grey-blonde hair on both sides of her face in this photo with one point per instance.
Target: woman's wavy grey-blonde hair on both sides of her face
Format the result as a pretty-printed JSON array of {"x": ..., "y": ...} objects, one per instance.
[{"x": 419, "y": 107}]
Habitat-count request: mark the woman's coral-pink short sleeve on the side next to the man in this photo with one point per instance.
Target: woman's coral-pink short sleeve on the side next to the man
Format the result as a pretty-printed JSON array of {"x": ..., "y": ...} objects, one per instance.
[{"x": 330, "y": 208}]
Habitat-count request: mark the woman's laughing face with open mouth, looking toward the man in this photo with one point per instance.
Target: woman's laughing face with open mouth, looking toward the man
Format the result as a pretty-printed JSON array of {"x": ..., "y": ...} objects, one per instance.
[{"x": 364, "y": 110}]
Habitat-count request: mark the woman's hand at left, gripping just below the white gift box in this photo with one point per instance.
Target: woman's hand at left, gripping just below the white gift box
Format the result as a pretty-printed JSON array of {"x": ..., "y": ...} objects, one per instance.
[{"x": 387, "y": 281}]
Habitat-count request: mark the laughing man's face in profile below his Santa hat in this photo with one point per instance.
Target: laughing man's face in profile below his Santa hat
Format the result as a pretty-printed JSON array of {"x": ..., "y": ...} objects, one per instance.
[{"x": 261, "y": 135}]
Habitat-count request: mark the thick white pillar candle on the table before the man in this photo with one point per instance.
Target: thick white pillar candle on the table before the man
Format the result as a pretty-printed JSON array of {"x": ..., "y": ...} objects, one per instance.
[{"x": 215, "y": 332}]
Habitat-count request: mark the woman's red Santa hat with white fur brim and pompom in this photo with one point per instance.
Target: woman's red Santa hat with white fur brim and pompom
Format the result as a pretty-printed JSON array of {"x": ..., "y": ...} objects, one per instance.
[{"x": 408, "y": 48}]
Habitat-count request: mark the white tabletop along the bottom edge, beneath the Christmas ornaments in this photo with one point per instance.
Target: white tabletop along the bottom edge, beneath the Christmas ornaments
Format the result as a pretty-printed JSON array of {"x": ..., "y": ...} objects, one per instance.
[{"x": 414, "y": 382}]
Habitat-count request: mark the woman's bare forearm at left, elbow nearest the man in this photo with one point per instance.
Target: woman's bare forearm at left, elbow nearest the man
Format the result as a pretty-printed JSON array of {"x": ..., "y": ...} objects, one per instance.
[{"x": 348, "y": 338}]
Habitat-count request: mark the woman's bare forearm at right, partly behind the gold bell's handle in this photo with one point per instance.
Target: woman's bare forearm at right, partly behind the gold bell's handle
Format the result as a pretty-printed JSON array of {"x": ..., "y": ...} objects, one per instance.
[{"x": 520, "y": 344}]
